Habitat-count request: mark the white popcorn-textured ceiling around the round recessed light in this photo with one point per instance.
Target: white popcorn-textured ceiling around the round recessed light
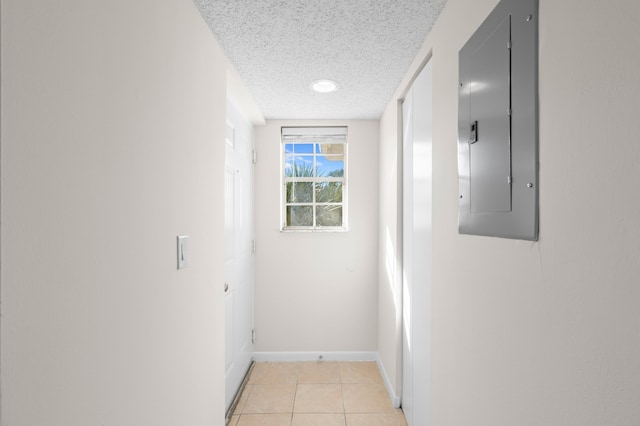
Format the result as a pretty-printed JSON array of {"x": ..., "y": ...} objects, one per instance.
[{"x": 280, "y": 46}]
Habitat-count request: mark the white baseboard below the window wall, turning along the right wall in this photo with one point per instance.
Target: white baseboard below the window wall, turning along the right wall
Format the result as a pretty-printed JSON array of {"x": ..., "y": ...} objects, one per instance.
[{"x": 331, "y": 356}]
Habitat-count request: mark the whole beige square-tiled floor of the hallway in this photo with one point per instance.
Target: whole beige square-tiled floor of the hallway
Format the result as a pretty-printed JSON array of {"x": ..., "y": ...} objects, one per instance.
[{"x": 316, "y": 394}]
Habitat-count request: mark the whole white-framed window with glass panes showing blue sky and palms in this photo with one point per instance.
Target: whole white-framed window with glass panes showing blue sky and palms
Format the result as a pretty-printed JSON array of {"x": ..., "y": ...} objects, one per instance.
[{"x": 313, "y": 174}]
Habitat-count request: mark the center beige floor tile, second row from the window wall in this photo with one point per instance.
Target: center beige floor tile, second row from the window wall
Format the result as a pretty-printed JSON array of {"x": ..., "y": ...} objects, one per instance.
[{"x": 318, "y": 398}]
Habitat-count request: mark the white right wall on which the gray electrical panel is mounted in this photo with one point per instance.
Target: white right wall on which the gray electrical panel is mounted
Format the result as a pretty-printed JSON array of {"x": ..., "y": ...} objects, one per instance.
[{"x": 547, "y": 332}]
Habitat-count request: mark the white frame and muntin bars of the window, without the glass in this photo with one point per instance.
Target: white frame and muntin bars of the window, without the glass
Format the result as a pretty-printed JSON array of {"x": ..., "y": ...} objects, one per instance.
[{"x": 333, "y": 134}]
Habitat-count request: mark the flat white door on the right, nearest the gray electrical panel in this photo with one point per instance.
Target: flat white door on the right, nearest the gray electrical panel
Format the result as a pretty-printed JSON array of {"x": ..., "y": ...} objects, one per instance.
[{"x": 416, "y": 246}]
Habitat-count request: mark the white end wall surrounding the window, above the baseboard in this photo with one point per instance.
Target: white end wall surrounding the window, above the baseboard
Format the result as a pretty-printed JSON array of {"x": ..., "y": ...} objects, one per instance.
[{"x": 317, "y": 292}]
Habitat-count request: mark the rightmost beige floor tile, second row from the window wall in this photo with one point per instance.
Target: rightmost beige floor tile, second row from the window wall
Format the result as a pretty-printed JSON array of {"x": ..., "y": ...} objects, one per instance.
[{"x": 366, "y": 398}]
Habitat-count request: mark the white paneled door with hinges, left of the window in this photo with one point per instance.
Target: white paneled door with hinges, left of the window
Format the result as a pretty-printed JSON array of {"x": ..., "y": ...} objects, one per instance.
[{"x": 239, "y": 250}]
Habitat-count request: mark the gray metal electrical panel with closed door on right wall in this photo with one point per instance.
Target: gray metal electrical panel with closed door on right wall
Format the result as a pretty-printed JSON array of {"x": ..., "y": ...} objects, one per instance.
[{"x": 498, "y": 124}]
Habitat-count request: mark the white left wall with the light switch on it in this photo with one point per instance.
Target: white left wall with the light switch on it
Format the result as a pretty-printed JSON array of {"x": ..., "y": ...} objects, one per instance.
[{"x": 113, "y": 132}]
